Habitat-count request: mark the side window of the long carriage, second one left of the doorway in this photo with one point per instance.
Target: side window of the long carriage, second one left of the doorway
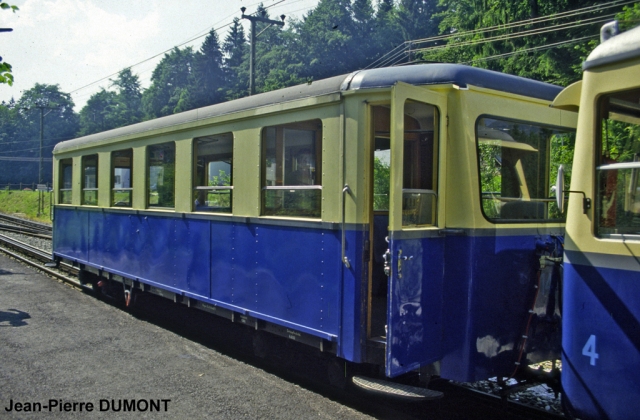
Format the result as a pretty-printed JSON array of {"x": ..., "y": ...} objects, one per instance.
[{"x": 213, "y": 184}]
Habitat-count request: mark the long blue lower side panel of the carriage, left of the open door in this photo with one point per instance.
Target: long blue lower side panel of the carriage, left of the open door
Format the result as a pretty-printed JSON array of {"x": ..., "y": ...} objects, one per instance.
[{"x": 285, "y": 275}]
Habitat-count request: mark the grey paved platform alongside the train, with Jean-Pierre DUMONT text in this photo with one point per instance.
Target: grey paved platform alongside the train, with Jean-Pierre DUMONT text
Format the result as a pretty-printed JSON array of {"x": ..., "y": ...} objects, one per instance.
[{"x": 66, "y": 354}]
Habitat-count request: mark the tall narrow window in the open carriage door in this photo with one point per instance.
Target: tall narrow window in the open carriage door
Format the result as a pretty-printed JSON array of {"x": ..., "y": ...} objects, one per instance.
[{"x": 419, "y": 177}]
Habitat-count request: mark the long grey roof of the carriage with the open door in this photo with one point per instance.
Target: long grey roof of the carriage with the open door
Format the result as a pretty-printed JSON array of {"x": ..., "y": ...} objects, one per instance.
[{"x": 423, "y": 74}]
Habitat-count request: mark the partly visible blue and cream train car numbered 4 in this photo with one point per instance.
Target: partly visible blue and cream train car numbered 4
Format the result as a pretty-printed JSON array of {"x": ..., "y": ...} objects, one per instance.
[{"x": 601, "y": 313}]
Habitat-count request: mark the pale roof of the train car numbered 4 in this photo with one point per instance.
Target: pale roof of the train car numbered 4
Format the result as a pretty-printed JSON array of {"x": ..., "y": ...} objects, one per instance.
[{"x": 621, "y": 47}]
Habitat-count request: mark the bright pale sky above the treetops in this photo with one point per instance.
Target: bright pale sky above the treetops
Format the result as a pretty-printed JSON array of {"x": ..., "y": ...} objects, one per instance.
[{"x": 76, "y": 43}]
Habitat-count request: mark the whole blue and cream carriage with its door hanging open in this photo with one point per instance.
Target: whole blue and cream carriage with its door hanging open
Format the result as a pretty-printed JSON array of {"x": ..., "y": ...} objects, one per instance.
[{"x": 391, "y": 216}]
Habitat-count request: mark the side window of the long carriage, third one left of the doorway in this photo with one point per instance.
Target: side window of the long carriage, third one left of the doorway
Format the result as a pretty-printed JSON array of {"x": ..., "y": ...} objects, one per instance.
[{"x": 161, "y": 160}]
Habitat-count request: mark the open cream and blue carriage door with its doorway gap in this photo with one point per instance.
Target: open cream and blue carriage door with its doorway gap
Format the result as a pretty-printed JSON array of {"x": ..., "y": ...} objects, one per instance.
[{"x": 407, "y": 265}]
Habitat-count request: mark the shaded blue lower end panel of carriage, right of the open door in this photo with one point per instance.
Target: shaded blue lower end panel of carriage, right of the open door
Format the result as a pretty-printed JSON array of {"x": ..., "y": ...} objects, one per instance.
[{"x": 489, "y": 287}]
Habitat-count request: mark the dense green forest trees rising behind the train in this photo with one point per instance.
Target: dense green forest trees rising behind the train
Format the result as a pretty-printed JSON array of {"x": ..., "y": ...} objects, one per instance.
[{"x": 545, "y": 40}]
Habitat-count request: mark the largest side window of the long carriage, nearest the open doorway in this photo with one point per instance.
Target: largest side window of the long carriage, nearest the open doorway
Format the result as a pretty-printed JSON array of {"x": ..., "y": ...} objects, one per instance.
[{"x": 291, "y": 169}]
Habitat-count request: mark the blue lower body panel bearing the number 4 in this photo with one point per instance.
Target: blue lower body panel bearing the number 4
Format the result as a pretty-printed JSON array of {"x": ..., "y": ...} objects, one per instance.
[{"x": 601, "y": 344}]
